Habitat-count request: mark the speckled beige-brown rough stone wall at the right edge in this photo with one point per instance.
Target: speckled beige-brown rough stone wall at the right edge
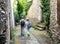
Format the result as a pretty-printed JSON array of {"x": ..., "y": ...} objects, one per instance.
[{"x": 54, "y": 27}]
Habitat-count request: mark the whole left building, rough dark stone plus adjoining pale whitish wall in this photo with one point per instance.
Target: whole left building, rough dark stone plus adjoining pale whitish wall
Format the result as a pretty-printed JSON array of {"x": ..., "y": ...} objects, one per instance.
[{"x": 6, "y": 21}]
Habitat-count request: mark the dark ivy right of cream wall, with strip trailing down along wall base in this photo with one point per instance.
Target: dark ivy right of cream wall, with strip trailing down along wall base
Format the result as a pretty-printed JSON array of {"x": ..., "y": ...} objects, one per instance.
[{"x": 46, "y": 17}]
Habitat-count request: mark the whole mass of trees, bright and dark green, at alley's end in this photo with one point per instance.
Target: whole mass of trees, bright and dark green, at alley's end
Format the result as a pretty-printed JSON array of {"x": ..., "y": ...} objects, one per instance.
[{"x": 21, "y": 8}]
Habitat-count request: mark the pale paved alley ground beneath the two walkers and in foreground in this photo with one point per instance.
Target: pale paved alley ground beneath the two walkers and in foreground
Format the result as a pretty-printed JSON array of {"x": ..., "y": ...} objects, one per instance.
[{"x": 36, "y": 37}]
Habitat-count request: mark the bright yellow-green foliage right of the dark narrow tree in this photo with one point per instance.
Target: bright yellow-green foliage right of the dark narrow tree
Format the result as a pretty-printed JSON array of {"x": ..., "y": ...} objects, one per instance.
[{"x": 26, "y": 5}]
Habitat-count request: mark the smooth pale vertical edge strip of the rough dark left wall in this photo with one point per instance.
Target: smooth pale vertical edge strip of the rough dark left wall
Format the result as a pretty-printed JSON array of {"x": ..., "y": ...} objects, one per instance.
[{"x": 8, "y": 22}]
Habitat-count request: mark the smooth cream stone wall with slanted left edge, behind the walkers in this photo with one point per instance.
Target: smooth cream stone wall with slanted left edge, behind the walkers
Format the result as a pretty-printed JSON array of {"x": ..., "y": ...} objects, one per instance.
[{"x": 34, "y": 13}]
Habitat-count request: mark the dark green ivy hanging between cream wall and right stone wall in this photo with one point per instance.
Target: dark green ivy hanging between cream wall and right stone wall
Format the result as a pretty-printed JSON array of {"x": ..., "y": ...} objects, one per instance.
[{"x": 46, "y": 11}]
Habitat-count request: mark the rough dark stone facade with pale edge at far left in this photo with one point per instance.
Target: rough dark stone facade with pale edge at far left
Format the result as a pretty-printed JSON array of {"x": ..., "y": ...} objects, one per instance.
[{"x": 4, "y": 22}]
